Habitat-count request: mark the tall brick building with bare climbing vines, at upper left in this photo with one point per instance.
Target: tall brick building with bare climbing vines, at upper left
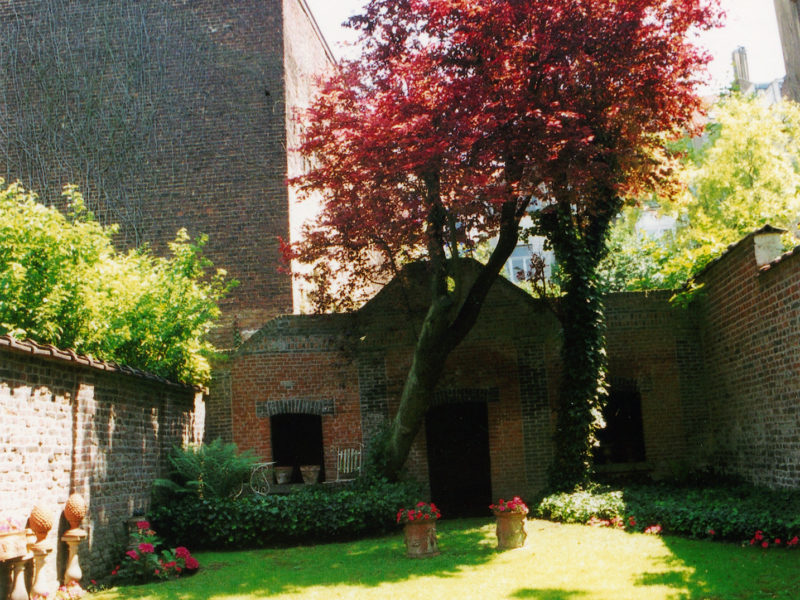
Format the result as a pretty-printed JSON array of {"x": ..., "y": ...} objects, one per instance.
[{"x": 167, "y": 114}]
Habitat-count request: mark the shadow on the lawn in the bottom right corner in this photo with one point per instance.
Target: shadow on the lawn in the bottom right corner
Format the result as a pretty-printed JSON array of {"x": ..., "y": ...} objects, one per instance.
[{"x": 699, "y": 569}]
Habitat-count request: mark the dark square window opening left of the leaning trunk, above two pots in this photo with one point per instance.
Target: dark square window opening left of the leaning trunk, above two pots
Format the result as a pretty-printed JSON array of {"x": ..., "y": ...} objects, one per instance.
[{"x": 297, "y": 440}]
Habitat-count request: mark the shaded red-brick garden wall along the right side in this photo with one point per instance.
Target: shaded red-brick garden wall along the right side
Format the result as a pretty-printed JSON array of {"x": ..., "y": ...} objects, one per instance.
[{"x": 751, "y": 346}]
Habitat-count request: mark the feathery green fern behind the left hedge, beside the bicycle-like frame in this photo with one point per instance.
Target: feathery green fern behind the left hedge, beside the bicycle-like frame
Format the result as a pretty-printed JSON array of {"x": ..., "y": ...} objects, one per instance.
[{"x": 214, "y": 470}]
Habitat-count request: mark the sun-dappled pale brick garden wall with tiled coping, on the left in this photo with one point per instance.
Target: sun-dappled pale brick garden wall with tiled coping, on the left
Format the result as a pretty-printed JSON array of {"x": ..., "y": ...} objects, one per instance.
[{"x": 71, "y": 424}]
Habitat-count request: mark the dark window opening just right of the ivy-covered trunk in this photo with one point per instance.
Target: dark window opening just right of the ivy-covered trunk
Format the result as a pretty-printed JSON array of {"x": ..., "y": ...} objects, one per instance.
[{"x": 622, "y": 440}]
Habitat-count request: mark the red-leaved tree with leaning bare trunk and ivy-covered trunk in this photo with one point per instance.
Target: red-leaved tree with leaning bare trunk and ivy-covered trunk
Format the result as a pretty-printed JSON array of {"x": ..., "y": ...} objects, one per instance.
[{"x": 461, "y": 116}]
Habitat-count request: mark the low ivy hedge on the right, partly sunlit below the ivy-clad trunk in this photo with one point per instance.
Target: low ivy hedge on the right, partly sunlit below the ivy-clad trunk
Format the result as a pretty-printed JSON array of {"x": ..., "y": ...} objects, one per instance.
[{"x": 732, "y": 513}]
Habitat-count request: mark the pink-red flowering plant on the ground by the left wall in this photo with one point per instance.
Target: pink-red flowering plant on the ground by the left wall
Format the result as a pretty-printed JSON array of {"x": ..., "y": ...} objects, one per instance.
[{"x": 147, "y": 561}]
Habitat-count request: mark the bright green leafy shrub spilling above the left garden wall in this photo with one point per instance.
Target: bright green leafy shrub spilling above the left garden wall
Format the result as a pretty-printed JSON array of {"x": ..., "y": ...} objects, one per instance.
[{"x": 63, "y": 283}]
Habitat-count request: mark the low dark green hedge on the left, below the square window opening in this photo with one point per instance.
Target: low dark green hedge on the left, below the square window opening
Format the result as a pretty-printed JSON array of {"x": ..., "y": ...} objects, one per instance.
[{"x": 312, "y": 513}]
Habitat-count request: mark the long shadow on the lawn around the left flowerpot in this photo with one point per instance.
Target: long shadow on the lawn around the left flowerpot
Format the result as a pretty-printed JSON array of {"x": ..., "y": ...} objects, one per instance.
[{"x": 366, "y": 563}]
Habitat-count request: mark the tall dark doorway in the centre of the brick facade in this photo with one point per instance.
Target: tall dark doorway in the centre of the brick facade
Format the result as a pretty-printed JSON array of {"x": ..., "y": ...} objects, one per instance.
[{"x": 458, "y": 458}]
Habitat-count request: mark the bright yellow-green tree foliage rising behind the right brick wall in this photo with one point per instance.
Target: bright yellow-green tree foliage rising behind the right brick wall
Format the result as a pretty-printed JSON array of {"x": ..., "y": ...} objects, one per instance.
[{"x": 743, "y": 174}]
